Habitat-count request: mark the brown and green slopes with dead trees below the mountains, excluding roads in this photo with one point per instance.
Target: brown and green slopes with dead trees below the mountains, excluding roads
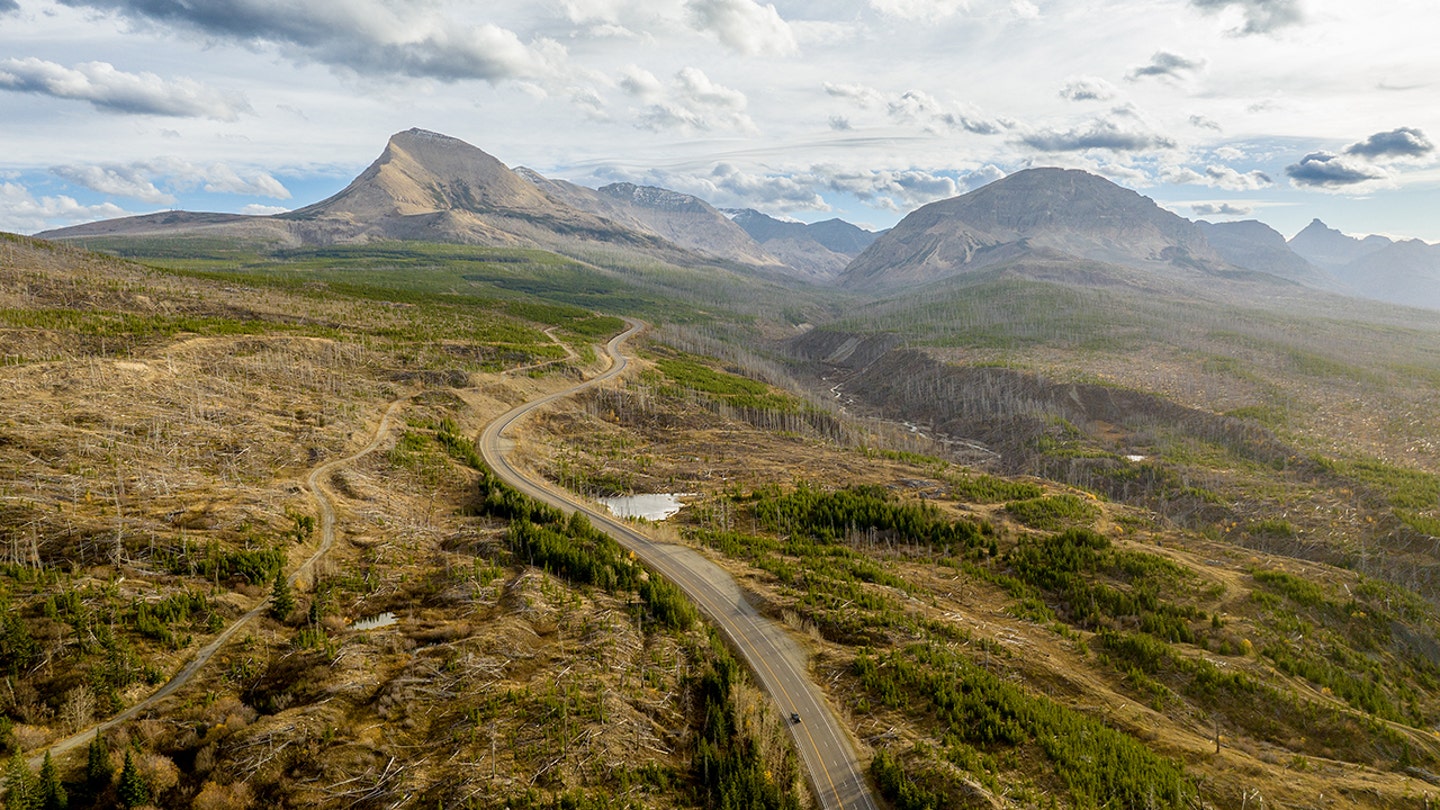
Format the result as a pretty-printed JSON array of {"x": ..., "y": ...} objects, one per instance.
[{"x": 165, "y": 424}]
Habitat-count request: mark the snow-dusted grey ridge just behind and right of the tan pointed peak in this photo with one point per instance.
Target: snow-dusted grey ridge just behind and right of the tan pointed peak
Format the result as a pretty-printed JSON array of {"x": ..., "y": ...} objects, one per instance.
[{"x": 683, "y": 220}]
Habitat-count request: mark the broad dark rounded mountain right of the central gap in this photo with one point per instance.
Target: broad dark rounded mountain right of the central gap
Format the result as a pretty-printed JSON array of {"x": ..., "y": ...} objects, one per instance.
[{"x": 1033, "y": 213}]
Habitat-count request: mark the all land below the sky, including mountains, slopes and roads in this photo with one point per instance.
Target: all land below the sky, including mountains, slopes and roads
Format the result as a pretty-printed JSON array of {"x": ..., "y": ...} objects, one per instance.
[{"x": 1046, "y": 498}]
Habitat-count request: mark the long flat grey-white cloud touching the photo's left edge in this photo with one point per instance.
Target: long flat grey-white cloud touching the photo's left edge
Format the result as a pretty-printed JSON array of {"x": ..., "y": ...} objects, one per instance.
[{"x": 117, "y": 92}]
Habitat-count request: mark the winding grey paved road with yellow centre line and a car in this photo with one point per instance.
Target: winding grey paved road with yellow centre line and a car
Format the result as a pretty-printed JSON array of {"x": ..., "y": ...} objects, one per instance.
[{"x": 773, "y": 655}]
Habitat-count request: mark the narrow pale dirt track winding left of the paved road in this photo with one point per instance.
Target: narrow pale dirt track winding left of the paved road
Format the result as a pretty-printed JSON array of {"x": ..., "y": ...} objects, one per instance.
[{"x": 328, "y": 540}]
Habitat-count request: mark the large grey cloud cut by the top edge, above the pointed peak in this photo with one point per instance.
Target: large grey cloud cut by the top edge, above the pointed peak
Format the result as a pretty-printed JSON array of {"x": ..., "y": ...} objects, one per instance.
[{"x": 366, "y": 37}]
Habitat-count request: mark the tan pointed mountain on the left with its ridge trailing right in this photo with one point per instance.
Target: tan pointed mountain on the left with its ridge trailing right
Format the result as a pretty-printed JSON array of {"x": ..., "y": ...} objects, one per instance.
[{"x": 428, "y": 187}]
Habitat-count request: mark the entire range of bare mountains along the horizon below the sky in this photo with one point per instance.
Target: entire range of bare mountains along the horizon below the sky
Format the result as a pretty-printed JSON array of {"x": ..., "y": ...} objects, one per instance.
[{"x": 1069, "y": 224}]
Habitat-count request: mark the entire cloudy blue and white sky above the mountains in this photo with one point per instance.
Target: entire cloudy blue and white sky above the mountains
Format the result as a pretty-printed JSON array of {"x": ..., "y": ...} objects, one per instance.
[{"x": 1272, "y": 110}]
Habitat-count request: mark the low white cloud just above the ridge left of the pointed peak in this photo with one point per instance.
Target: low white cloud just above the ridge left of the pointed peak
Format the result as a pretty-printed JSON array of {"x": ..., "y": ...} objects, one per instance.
[{"x": 158, "y": 181}]
